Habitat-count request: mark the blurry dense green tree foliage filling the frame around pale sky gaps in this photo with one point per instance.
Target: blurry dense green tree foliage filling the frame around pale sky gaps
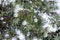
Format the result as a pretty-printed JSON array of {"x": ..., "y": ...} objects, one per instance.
[{"x": 28, "y": 19}]
